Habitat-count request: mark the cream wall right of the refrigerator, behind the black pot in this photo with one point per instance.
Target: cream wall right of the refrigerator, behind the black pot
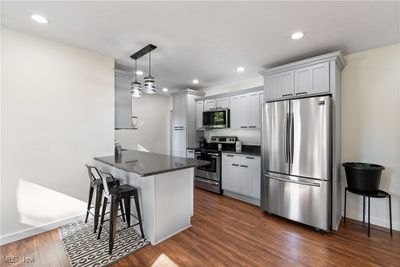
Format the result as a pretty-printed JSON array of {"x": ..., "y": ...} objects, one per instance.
[{"x": 371, "y": 125}]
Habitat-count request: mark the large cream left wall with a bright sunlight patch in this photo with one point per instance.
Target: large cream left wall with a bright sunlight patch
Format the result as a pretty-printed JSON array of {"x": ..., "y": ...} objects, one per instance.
[{"x": 57, "y": 113}]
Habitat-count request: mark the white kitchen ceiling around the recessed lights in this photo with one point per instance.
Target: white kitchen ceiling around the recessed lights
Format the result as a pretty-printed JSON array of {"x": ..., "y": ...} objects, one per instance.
[{"x": 208, "y": 40}]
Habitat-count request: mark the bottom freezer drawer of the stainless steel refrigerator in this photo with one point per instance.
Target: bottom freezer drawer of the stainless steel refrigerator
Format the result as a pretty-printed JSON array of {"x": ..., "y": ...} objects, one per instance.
[{"x": 298, "y": 199}]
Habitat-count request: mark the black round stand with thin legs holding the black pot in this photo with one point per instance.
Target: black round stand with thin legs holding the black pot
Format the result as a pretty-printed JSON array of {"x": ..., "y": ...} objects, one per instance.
[{"x": 378, "y": 194}]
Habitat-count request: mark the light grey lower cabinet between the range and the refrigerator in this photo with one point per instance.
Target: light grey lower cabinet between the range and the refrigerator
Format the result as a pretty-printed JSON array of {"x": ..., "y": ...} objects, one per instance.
[{"x": 241, "y": 174}]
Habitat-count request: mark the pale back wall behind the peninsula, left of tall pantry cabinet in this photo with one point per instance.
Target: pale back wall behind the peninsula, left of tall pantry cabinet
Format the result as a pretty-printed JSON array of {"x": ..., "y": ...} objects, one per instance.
[{"x": 153, "y": 133}]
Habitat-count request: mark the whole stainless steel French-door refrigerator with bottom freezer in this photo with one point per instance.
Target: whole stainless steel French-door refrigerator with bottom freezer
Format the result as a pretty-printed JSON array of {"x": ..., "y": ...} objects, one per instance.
[{"x": 296, "y": 160}]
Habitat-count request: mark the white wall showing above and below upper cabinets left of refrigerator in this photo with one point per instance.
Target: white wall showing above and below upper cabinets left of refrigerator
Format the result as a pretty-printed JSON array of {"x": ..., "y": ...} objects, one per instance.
[{"x": 249, "y": 136}]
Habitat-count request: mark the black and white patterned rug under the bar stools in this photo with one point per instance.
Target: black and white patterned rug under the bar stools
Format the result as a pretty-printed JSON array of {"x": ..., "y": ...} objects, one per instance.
[{"x": 83, "y": 249}]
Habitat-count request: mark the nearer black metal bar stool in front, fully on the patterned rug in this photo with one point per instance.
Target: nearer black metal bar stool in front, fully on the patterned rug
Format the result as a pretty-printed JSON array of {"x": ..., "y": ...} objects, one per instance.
[{"x": 115, "y": 195}]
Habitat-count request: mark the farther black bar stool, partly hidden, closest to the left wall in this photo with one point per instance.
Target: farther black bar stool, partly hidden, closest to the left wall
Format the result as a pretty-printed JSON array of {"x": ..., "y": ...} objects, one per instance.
[{"x": 96, "y": 184}]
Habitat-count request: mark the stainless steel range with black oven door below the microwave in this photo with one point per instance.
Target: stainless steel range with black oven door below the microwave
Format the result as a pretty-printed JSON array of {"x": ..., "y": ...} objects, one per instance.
[{"x": 209, "y": 177}]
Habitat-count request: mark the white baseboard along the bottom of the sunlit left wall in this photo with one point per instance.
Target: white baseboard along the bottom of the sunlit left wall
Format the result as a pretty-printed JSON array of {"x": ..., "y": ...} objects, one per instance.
[{"x": 39, "y": 229}]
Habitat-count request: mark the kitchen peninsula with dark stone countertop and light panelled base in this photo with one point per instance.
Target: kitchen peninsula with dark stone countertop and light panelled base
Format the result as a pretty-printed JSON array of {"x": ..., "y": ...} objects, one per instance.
[{"x": 165, "y": 185}]
